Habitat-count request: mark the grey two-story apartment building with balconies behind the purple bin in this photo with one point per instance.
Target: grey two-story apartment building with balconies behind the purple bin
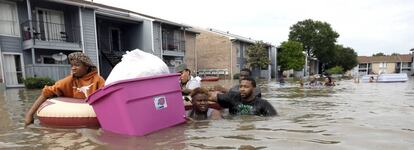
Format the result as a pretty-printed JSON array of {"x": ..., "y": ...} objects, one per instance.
[{"x": 37, "y": 35}]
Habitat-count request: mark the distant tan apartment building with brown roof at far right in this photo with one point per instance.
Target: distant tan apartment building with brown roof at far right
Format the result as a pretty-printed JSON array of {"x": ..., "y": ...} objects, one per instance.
[{"x": 383, "y": 64}]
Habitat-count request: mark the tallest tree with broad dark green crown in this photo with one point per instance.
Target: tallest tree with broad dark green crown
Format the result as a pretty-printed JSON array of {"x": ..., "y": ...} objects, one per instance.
[{"x": 318, "y": 39}]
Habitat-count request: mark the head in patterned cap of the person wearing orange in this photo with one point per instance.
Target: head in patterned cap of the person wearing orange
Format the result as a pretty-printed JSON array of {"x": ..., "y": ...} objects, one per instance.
[{"x": 81, "y": 64}]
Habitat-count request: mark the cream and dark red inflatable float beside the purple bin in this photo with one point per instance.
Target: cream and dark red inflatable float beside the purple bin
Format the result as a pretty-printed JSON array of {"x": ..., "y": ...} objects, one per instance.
[{"x": 67, "y": 112}]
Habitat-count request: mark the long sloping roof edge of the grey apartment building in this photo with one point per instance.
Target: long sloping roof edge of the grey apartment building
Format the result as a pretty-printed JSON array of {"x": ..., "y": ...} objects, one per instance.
[{"x": 98, "y": 6}]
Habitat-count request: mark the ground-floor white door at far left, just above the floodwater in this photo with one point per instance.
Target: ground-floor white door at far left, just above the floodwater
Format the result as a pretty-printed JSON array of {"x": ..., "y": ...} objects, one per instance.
[{"x": 13, "y": 69}]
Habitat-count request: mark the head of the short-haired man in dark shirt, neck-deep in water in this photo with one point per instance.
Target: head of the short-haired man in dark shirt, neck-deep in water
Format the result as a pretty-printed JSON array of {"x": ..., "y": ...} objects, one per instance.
[{"x": 247, "y": 86}]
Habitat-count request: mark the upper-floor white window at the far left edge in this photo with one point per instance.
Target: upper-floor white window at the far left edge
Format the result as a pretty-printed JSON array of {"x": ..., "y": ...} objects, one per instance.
[{"x": 9, "y": 24}]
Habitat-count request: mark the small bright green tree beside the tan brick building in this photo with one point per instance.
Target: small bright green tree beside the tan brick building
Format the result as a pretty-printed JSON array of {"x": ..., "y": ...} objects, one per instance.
[{"x": 290, "y": 56}]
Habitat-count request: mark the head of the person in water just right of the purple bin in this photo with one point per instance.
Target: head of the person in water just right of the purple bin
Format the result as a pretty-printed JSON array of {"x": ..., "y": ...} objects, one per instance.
[{"x": 199, "y": 99}]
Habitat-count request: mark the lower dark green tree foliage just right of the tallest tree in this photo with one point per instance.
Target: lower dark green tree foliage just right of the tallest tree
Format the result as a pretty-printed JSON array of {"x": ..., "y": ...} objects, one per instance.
[{"x": 345, "y": 57}]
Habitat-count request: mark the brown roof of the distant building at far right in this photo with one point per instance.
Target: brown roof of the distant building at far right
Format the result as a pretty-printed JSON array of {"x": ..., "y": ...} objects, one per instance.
[{"x": 394, "y": 58}]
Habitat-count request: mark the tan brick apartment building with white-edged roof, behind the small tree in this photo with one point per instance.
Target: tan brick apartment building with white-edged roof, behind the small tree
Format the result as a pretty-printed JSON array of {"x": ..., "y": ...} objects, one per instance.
[{"x": 225, "y": 54}]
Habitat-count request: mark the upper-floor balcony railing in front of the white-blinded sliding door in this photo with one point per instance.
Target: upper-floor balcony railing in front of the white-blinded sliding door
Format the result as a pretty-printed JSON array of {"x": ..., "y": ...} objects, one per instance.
[{"x": 47, "y": 31}]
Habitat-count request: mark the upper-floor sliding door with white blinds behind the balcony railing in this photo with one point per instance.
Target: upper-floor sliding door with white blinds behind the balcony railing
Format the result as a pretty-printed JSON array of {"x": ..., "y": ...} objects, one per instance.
[{"x": 51, "y": 24}]
